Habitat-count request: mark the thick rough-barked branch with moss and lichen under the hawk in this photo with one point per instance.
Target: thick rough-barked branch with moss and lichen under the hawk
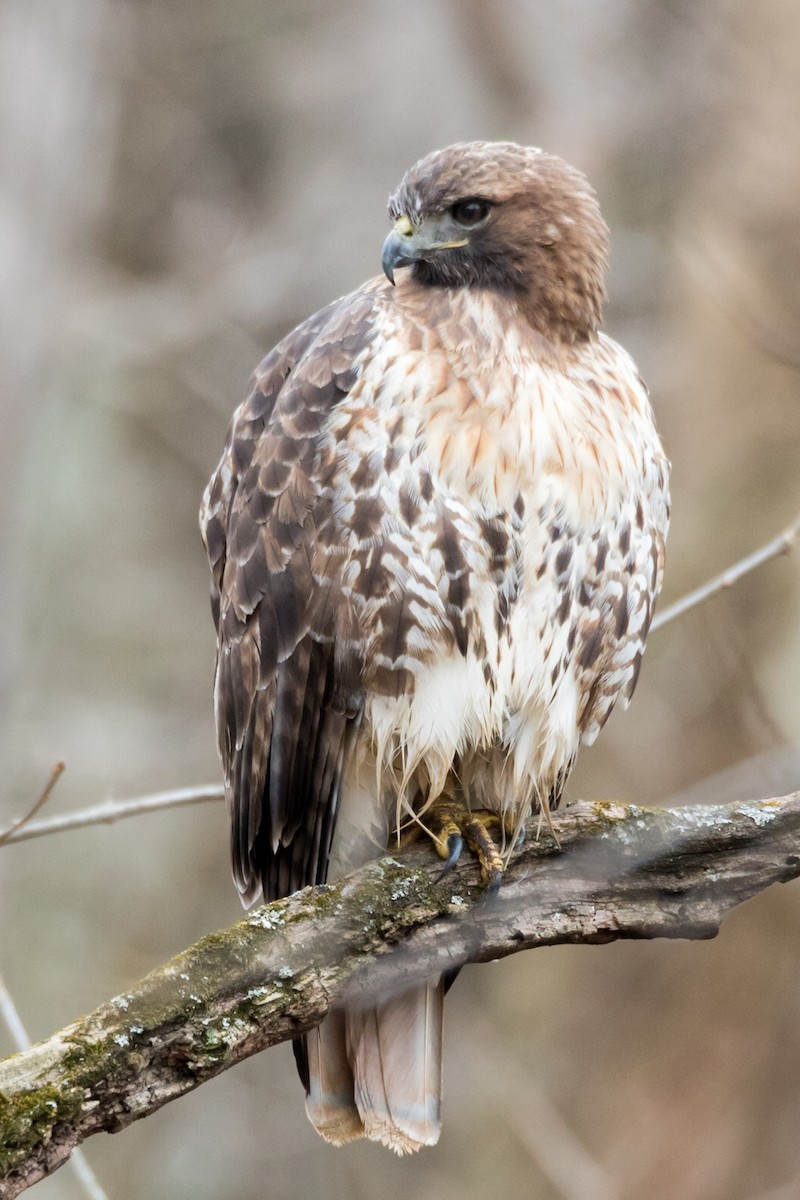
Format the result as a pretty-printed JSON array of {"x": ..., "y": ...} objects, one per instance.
[{"x": 622, "y": 872}]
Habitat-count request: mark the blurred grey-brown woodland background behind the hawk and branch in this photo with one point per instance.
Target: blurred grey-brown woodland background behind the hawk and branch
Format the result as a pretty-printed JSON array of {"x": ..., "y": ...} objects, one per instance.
[{"x": 181, "y": 183}]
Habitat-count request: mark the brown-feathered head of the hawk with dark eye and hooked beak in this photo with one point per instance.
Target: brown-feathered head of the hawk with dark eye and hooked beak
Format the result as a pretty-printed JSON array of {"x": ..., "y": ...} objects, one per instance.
[{"x": 500, "y": 217}]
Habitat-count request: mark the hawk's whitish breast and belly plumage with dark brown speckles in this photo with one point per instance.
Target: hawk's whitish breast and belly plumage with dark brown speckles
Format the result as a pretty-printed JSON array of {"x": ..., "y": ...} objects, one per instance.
[{"x": 520, "y": 515}]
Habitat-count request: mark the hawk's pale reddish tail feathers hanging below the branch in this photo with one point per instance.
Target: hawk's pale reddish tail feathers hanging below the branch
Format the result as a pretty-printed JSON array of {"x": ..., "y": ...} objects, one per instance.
[{"x": 377, "y": 1072}]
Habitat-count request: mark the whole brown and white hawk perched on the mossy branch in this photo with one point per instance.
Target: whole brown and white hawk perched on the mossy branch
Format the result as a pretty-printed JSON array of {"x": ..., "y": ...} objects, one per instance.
[{"x": 437, "y": 537}]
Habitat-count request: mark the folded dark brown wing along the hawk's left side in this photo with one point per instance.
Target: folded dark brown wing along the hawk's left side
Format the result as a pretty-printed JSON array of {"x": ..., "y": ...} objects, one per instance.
[{"x": 284, "y": 729}]
